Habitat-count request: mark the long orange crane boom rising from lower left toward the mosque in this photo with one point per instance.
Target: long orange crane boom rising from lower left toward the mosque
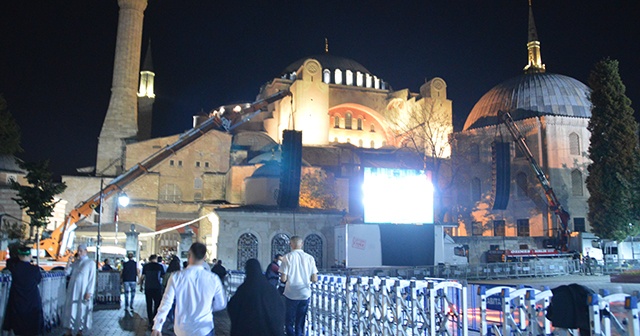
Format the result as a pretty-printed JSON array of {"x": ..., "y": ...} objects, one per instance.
[{"x": 55, "y": 245}]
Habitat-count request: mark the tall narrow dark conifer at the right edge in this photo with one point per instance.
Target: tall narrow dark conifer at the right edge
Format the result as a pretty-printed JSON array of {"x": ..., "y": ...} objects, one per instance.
[{"x": 613, "y": 151}]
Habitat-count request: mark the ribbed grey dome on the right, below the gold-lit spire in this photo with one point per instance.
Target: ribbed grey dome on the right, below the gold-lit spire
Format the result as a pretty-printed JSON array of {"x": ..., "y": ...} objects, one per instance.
[{"x": 532, "y": 94}]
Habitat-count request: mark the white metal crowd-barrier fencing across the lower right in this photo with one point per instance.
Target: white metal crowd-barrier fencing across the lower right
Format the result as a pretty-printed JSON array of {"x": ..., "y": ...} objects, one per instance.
[{"x": 349, "y": 303}]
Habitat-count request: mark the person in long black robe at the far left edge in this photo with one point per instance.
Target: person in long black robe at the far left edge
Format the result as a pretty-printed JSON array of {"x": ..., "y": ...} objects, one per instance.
[{"x": 24, "y": 309}]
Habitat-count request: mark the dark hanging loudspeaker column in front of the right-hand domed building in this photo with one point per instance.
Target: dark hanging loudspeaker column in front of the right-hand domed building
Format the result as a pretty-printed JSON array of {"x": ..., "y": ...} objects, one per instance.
[{"x": 501, "y": 163}]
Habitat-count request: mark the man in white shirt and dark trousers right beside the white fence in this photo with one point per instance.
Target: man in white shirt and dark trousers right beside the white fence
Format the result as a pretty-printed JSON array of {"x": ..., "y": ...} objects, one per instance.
[{"x": 298, "y": 271}]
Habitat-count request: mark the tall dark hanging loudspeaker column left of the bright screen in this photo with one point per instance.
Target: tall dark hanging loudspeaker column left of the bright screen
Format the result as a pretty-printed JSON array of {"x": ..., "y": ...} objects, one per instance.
[{"x": 290, "y": 166}]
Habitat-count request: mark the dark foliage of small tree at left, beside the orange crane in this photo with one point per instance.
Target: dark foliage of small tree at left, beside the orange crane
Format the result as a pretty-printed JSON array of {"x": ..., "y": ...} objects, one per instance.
[{"x": 37, "y": 198}]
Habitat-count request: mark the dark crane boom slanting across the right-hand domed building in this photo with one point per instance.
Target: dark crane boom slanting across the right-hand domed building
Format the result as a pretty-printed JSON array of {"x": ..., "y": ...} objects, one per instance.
[{"x": 552, "y": 199}]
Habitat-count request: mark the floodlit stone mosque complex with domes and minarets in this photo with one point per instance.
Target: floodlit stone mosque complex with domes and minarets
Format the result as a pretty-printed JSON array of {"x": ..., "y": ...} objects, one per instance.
[{"x": 226, "y": 183}]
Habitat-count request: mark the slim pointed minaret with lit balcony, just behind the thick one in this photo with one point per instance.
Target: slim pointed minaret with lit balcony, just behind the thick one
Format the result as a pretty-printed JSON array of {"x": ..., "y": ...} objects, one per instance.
[{"x": 146, "y": 96}]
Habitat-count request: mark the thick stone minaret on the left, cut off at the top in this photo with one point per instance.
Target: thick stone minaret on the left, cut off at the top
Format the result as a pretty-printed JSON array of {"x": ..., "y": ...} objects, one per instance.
[{"x": 121, "y": 122}]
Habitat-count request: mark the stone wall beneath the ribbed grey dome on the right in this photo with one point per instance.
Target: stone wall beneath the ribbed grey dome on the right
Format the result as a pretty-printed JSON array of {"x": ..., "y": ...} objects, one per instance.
[{"x": 548, "y": 140}]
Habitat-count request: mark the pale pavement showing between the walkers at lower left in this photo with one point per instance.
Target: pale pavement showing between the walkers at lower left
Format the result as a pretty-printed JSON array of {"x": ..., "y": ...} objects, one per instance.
[{"x": 118, "y": 322}]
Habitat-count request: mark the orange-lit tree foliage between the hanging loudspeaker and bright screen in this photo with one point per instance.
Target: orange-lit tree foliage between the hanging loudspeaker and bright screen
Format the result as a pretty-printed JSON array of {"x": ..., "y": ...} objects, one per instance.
[{"x": 317, "y": 190}]
